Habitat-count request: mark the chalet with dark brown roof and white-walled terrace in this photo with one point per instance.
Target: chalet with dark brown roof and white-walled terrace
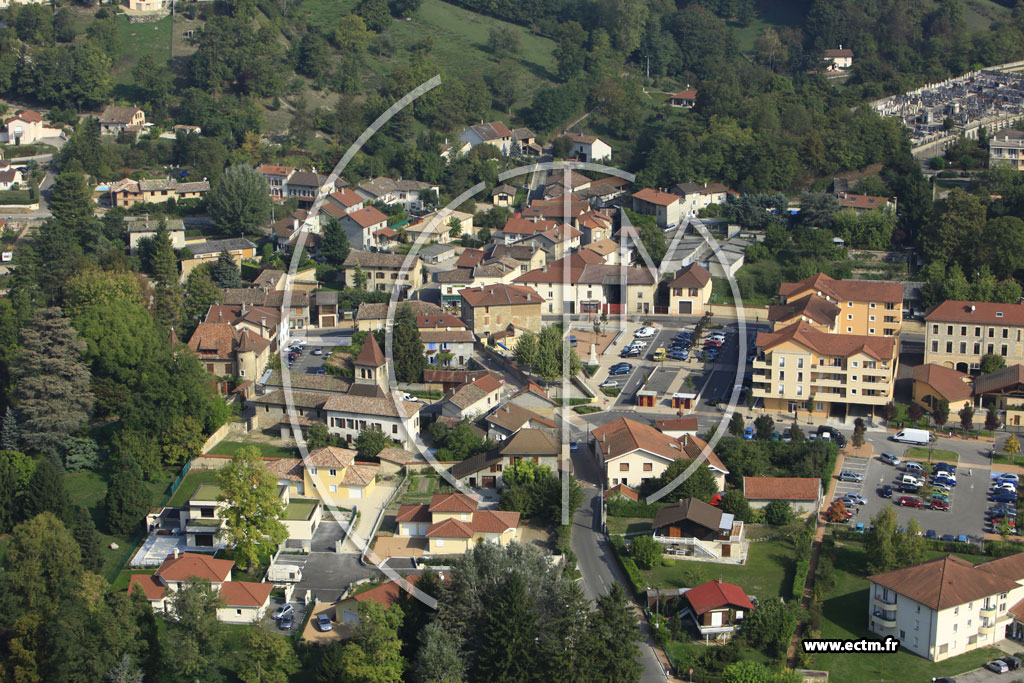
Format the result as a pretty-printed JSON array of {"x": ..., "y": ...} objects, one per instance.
[{"x": 698, "y": 530}]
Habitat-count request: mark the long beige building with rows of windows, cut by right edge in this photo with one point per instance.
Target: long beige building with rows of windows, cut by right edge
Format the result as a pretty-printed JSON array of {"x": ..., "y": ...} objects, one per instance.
[{"x": 959, "y": 333}]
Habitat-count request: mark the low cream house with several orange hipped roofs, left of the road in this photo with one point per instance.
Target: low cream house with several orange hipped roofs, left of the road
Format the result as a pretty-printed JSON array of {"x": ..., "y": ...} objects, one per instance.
[{"x": 453, "y": 524}]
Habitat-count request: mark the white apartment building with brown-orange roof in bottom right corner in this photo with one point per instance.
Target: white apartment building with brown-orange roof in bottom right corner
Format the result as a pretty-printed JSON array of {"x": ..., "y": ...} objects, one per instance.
[{"x": 948, "y": 607}]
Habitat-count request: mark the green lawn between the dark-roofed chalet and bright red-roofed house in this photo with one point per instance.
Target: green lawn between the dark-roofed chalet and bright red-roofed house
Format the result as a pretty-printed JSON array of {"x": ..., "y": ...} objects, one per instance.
[{"x": 769, "y": 571}]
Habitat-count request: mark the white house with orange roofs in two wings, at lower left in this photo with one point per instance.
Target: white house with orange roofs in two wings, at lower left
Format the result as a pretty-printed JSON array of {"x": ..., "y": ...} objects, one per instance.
[{"x": 244, "y": 603}]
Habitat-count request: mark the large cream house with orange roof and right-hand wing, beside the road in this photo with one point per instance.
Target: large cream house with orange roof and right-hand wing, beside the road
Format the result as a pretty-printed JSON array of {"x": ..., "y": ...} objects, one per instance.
[{"x": 632, "y": 453}]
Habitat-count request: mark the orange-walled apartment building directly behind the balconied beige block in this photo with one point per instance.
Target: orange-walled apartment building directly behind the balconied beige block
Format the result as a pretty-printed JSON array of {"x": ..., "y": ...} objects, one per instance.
[{"x": 841, "y": 307}]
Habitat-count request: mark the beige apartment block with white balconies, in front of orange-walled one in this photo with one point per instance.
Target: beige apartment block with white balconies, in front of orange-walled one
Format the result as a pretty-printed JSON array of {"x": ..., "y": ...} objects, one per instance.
[{"x": 801, "y": 368}]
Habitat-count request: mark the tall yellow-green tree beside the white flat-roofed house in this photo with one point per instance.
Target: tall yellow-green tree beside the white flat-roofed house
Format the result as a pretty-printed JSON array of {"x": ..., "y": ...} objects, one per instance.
[{"x": 254, "y": 510}]
